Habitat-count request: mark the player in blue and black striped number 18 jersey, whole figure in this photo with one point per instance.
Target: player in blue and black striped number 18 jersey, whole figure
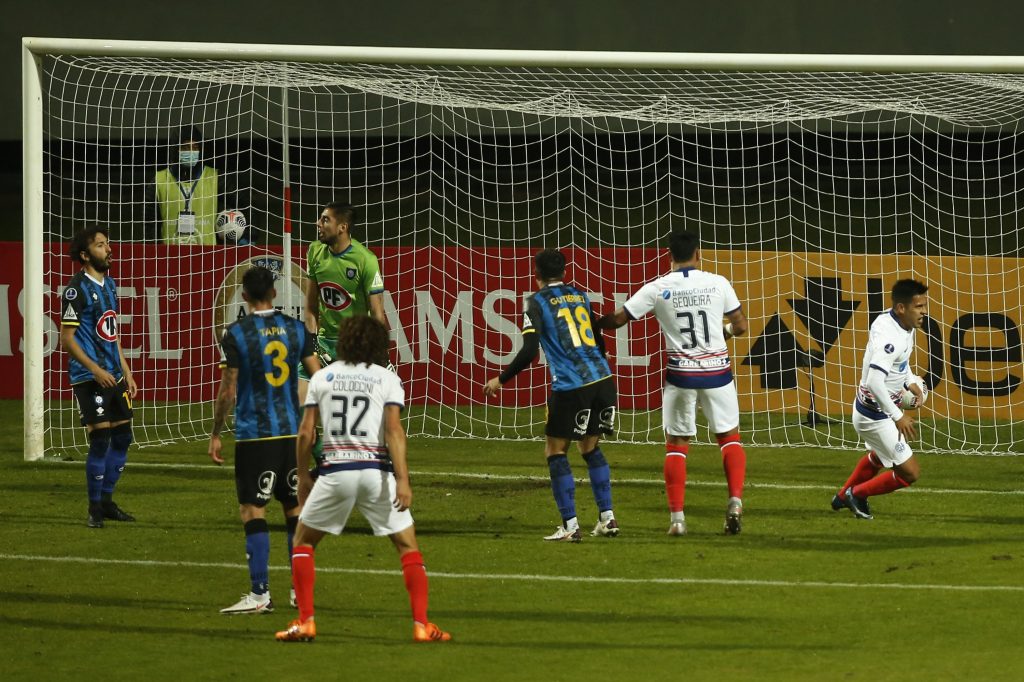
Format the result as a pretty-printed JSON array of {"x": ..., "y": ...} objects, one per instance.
[{"x": 582, "y": 405}]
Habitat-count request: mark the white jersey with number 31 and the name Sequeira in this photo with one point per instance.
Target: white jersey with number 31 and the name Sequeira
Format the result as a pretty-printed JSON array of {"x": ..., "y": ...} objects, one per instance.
[{"x": 690, "y": 305}]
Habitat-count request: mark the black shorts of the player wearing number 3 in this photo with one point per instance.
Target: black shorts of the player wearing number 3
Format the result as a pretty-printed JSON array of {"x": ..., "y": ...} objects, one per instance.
[{"x": 265, "y": 470}]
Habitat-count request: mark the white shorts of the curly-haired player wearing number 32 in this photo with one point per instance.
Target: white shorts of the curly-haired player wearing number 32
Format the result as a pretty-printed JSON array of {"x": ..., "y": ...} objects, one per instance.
[{"x": 335, "y": 495}]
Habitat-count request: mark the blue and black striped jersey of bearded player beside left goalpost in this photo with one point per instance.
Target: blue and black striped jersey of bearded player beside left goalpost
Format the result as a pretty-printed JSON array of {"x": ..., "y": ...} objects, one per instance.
[{"x": 93, "y": 308}]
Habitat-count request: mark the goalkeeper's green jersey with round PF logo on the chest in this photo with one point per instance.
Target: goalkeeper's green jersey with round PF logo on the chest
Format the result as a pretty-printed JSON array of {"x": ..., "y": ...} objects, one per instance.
[{"x": 347, "y": 282}]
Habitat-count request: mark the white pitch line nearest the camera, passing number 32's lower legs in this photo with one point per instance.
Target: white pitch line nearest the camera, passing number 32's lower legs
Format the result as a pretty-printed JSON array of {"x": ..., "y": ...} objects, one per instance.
[{"x": 527, "y": 578}]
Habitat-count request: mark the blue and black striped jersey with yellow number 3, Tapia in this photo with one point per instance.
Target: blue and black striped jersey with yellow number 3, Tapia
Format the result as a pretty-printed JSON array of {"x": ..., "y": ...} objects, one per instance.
[{"x": 267, "y": 349}]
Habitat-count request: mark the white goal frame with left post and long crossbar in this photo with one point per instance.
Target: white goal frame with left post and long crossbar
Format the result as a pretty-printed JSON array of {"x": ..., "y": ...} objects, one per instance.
[{"x": 33, "y": 50}]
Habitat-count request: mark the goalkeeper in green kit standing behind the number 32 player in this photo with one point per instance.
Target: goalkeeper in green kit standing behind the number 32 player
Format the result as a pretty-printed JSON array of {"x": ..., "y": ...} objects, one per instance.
[{"x": 345, "y": 281}]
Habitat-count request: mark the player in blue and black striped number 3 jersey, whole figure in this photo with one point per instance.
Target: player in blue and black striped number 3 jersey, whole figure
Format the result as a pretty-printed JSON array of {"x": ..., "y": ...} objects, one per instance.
[{"x": 263, "y": 355}]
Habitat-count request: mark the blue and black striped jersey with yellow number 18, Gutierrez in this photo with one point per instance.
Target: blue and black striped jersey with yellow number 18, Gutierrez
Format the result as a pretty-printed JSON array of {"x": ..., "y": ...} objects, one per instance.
[{"x": 562, "y": 316}]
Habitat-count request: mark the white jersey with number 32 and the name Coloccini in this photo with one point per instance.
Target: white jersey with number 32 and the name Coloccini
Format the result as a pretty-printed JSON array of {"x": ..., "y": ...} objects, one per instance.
[{"x": 352, "y": 401}]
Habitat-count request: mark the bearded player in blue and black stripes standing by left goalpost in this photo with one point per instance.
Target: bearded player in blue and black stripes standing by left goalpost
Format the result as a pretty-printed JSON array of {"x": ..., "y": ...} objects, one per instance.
[{"x": 101, "y": 378}]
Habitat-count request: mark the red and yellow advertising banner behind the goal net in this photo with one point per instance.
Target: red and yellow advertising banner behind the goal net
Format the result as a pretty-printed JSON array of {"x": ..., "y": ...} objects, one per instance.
[{"x": 455, "y": 315}]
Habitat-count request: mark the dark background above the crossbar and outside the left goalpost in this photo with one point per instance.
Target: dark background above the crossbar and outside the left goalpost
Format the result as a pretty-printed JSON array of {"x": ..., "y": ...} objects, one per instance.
[{"x": 916, "y": 27}]
